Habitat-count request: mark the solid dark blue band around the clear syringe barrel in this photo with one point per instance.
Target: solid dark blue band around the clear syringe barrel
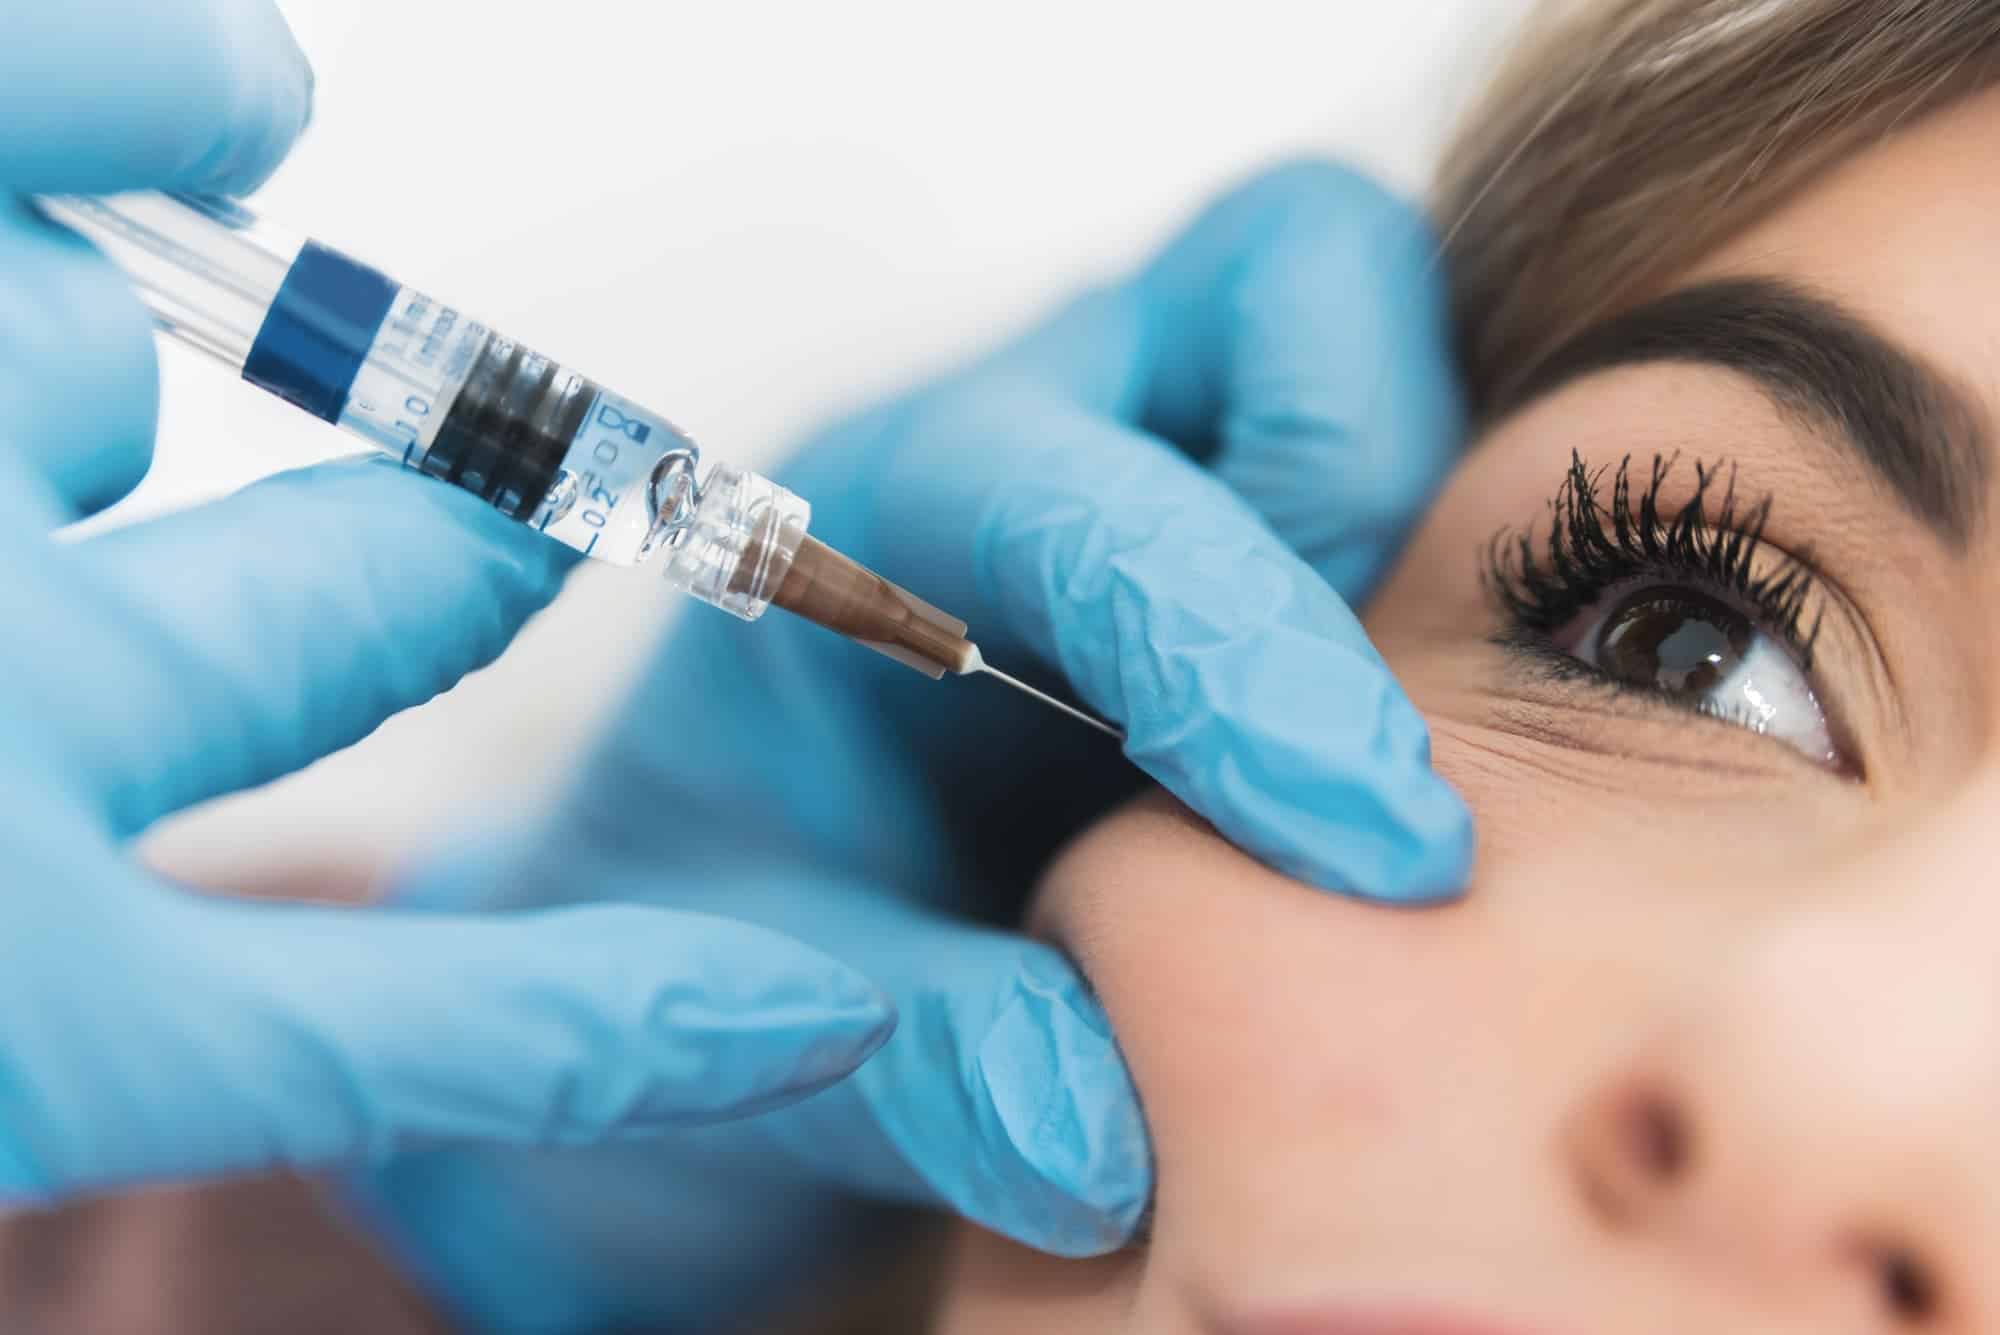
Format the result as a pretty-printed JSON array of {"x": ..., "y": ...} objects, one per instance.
[{"x": 319, "y": 331}]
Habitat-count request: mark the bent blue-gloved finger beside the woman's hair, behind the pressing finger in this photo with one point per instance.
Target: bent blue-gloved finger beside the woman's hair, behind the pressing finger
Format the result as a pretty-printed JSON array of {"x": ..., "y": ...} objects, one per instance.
[{"x": 1295, "y": 339}]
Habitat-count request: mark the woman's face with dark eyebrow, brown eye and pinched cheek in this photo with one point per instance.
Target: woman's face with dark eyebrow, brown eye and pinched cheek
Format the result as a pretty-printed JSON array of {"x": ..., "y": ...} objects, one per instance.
[{"x": 1715, "y": 1040}]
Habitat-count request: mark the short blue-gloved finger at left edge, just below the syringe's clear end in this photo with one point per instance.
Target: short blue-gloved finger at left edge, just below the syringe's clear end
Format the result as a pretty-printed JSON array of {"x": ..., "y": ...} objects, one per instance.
[{"x": 79, "y": 377}]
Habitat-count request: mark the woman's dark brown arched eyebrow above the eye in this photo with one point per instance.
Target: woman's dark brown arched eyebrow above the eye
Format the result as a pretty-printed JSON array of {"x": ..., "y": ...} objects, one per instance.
[{"x": 1907, "y": 423}]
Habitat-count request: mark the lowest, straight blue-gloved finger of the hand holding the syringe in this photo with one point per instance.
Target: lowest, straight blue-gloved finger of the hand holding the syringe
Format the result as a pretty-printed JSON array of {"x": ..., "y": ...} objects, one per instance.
[{"x": 259, "y": 1034}]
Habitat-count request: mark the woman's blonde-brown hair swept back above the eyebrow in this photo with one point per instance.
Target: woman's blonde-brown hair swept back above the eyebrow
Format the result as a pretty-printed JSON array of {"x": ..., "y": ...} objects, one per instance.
[{"x": 1629, "y": 137}]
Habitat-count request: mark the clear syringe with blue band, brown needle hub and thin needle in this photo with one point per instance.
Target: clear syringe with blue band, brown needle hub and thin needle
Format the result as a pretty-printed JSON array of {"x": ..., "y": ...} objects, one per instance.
[{"x": 471, "y": 407}]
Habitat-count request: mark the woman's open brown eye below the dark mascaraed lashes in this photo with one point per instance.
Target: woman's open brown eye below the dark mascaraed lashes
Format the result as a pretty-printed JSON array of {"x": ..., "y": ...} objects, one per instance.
[{"x": 1691, "y": 647}]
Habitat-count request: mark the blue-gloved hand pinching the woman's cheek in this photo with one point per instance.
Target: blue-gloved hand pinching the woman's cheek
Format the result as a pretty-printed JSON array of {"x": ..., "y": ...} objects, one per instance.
[{"x": 1167, "y": 493}]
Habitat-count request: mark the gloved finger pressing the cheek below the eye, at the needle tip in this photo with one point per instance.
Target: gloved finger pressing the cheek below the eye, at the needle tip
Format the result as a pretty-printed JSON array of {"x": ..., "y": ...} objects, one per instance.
[{"x": 1243, "y": 680}]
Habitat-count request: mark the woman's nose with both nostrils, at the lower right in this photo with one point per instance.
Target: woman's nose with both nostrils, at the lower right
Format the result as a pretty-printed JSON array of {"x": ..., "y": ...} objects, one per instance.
[{"x": 1811, "y": 1124}]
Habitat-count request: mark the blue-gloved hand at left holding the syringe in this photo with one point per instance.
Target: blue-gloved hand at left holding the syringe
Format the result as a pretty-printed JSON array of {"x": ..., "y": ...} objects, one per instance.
[{"x": 155, "y": 1034}]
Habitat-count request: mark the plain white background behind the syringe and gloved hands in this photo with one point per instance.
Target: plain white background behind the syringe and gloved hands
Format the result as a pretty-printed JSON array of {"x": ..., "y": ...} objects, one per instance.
[{"x": 749, "y": 217}]
